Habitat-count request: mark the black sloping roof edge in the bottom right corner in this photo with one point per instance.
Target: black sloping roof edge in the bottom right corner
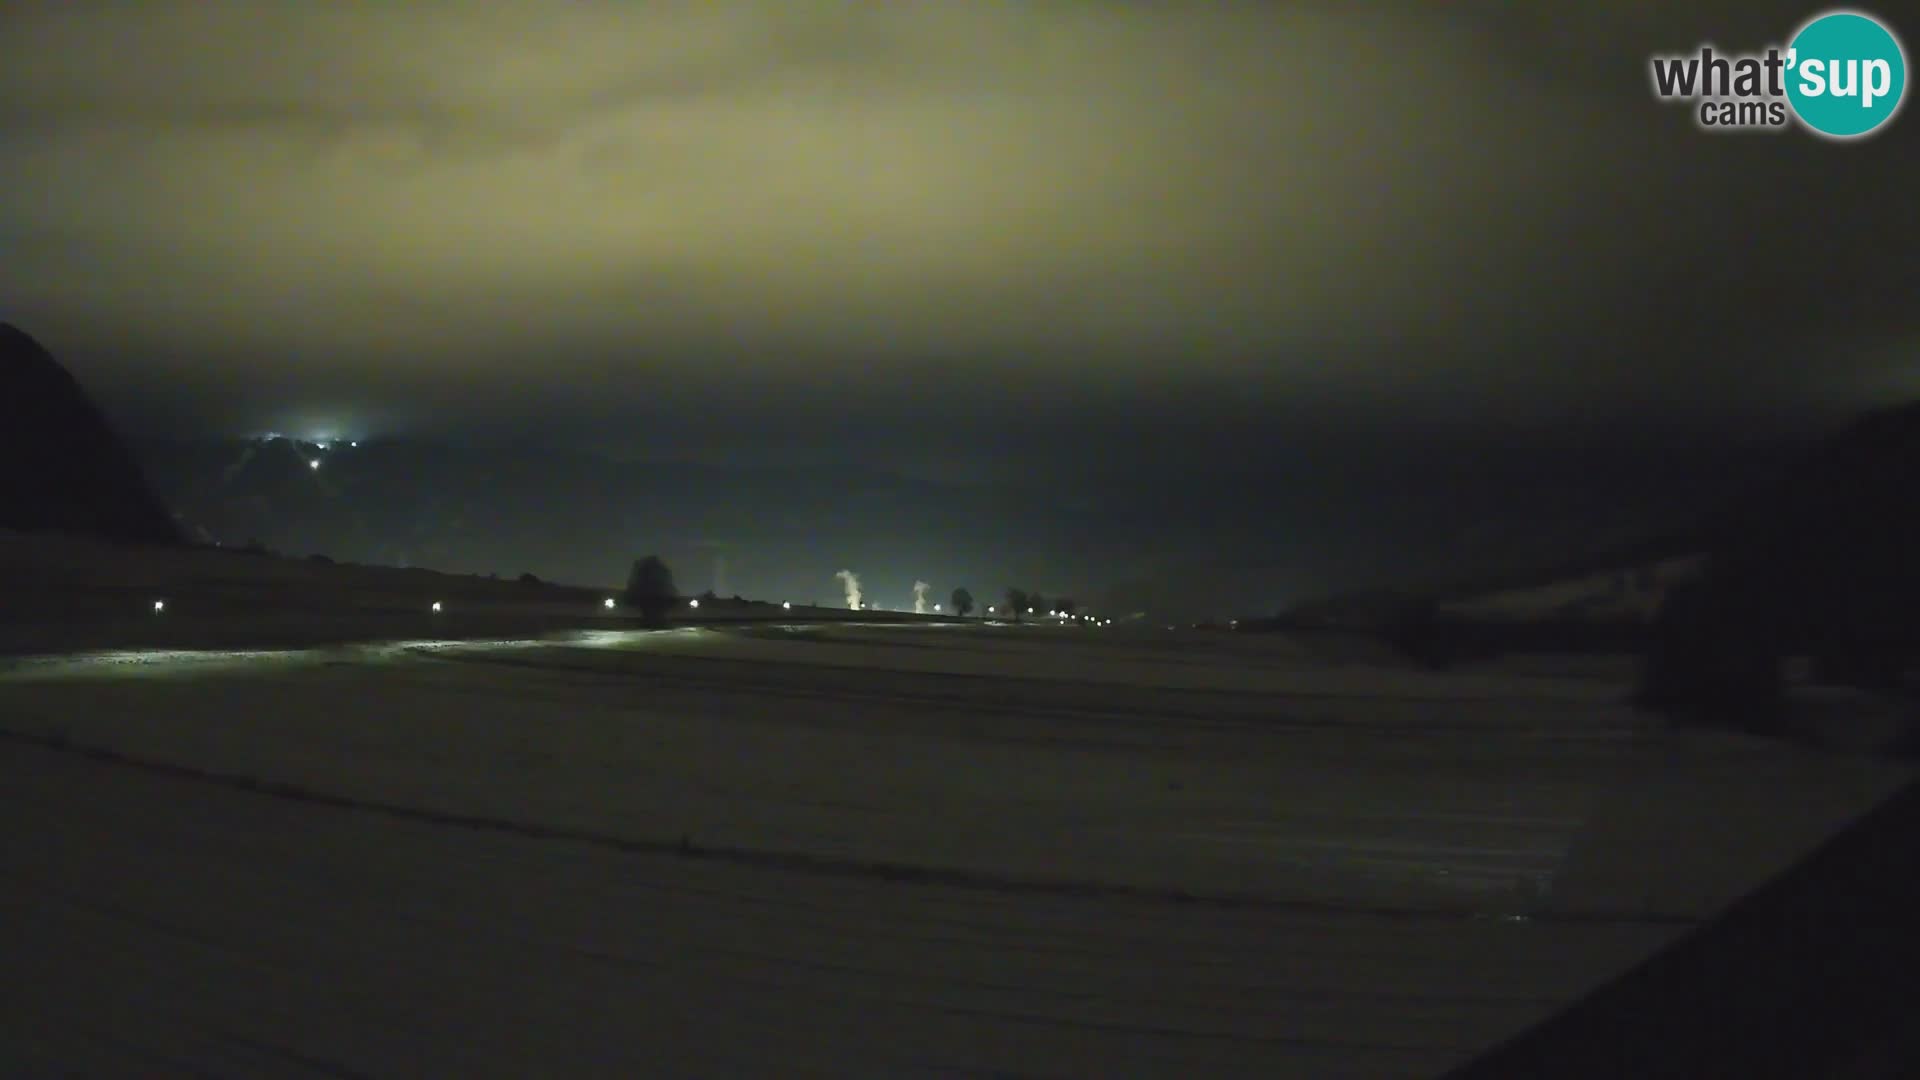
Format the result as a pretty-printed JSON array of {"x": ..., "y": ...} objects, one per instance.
[{"x": 1815, "y": 975}]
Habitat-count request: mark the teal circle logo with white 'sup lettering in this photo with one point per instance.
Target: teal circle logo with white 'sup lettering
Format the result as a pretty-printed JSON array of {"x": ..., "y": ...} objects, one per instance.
[{"x": 1846, "y": 74}]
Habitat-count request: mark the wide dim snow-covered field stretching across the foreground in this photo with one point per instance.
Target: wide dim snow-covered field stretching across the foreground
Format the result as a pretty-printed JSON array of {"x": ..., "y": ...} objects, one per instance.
[{"x": 852, "y": 850}]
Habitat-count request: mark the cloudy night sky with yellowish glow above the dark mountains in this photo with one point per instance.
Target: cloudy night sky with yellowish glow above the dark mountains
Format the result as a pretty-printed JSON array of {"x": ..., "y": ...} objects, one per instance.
[{"x": 1078, "y": 243}]
